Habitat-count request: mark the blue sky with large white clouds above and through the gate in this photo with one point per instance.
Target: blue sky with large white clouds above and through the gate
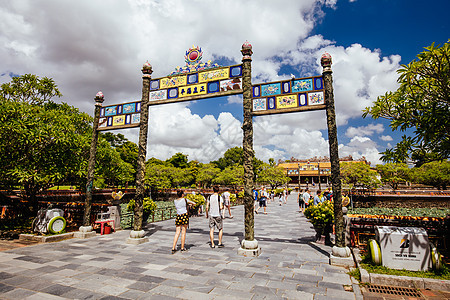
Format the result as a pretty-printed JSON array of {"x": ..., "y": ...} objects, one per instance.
[{"x": 86, "y": 46}]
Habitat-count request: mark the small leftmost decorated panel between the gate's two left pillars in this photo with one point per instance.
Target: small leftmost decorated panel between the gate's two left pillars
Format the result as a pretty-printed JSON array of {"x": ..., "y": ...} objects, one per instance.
[{"x": 119, "y": 116}]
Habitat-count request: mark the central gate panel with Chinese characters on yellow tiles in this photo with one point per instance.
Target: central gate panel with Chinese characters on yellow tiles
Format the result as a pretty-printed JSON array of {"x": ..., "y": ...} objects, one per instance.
[{"x": 221, "y": 81}]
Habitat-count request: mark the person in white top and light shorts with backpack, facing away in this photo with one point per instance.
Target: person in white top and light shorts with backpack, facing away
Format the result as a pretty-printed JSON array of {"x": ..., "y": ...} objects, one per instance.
[{"x": 214, "y": 206}]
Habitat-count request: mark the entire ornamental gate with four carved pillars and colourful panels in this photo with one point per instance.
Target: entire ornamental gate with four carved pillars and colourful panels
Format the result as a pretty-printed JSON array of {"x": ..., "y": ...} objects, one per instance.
[{"x": 197, "y": 80}]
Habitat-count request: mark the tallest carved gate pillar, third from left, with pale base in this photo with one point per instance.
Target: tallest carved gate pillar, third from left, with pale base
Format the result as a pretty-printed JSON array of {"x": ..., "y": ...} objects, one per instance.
[{"x": 249, "y": 246}]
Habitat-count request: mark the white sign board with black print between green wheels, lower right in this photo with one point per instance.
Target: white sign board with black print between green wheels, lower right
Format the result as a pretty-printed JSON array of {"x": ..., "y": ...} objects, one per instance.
[{"x": 404, "y": 247}]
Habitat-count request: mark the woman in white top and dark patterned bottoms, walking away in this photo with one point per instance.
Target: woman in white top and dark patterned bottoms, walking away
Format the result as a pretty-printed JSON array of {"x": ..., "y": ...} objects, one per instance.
[{"x": 182, "y": 220}]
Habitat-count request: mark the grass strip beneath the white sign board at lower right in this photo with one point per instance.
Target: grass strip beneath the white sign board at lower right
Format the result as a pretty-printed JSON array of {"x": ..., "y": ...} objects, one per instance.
[{"x": 367, "y": 264}]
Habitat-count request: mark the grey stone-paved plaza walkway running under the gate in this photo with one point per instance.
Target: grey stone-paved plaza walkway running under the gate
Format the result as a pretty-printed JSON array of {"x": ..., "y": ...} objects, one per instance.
[{"x": 105, "y": 267}]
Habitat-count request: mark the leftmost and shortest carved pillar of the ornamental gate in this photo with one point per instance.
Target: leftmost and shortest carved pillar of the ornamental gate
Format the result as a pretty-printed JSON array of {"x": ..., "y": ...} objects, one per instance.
[{"x": 99, "y": 98}]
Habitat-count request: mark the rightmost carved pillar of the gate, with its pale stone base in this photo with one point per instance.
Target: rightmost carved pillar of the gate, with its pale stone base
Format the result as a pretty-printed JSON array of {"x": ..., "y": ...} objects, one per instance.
[{"x": 339, "y": 250}]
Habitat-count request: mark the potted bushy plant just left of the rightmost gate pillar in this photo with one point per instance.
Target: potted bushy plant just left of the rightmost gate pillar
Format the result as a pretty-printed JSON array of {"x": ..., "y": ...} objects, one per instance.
[{"x": 322, "y": 217}]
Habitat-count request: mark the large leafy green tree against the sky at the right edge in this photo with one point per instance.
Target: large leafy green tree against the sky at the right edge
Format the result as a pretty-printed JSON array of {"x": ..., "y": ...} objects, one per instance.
[{"x": 422, "y": 103}]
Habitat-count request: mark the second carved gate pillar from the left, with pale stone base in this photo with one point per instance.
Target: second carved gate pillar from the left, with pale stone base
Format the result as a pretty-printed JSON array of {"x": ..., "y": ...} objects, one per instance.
[{"x": 137, "y": 234}]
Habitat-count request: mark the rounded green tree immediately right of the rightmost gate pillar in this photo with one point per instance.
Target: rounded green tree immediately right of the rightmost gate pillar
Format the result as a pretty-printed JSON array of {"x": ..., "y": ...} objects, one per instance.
[{"x": 358, "y": 174}]
